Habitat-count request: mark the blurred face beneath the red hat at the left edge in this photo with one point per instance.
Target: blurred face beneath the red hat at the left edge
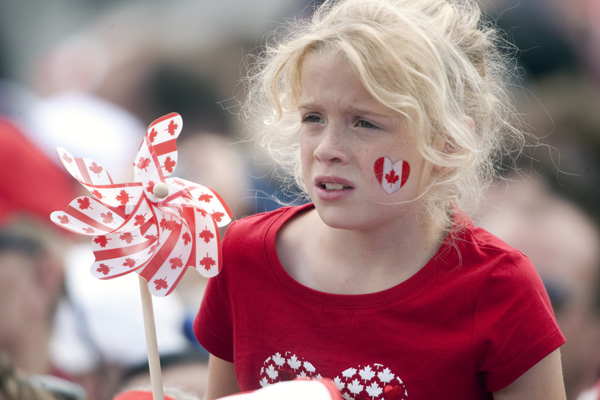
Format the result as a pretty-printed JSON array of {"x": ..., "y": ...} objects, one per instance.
[{"x": 31, "y": 285}]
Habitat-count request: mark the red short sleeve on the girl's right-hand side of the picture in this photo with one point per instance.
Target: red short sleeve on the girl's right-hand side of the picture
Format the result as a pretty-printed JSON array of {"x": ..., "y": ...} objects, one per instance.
[{"x": 514, "y": 325}]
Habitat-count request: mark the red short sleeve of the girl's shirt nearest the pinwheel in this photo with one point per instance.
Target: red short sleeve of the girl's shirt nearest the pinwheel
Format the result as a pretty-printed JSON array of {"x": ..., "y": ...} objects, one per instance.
[{"x": 213, "y": 325}]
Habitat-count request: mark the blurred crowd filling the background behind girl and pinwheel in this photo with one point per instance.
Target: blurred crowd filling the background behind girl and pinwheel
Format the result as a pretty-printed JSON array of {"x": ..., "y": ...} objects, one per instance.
[{"x": 91, "y": 75}]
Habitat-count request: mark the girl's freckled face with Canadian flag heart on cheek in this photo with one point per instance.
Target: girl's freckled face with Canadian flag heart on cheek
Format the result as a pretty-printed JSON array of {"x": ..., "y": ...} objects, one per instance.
[{"x": 359, "y": 163}]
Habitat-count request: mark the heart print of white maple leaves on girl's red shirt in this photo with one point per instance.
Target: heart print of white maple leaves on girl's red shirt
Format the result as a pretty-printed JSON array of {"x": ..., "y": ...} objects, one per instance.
[{"x": 360, "y": 382}]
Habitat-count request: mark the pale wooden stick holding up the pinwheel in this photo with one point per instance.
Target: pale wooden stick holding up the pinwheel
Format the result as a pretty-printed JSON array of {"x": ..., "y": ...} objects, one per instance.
[{"x": 151, "y": 342}]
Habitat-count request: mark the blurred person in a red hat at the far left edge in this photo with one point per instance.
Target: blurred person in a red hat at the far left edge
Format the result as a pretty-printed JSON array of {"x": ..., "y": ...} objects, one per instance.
[{"x": 31, "y": 264}]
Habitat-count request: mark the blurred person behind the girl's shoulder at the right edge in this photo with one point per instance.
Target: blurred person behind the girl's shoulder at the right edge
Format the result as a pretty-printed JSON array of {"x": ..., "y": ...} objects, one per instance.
[{"x": 563, "y": 243}]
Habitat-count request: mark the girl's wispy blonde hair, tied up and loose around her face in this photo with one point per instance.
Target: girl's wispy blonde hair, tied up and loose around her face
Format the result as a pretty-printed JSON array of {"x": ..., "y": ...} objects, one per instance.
[{"x": 435, "y": 62}]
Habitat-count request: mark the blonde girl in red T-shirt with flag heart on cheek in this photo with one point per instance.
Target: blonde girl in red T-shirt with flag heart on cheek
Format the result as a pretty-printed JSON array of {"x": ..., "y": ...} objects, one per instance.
[{"x": 390, "y": 113}]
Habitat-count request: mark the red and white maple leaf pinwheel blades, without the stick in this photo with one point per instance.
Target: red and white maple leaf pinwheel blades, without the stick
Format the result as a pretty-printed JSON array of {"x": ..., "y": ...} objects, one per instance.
[{"x": 156, "y": 226}]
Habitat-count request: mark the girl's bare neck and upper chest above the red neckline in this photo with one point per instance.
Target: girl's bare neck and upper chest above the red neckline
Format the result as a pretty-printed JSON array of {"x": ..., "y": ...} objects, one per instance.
[{"x": 357, "y": 262}]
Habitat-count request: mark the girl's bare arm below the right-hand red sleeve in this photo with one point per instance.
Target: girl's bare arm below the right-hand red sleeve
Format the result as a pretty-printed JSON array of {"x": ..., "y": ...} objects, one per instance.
[{"x": 543, "y": 381}]
